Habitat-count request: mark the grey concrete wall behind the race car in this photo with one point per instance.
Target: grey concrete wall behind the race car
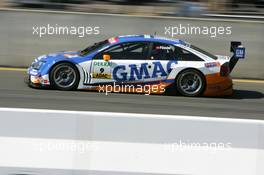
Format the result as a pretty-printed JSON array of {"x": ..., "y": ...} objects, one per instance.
[{"x": 19, "y": 46}]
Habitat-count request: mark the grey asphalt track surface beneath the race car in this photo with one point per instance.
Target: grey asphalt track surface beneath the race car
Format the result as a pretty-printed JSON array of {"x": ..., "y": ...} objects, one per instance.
[{"x": 247, "y": 101}]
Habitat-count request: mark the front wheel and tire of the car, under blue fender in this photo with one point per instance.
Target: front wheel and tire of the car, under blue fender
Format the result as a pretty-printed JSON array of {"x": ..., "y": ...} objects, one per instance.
[{"x": 64, "y": 76}]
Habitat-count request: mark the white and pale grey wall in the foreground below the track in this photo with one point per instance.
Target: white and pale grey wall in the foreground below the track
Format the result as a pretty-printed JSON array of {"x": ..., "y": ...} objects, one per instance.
[{"x": 122, "y": 143}]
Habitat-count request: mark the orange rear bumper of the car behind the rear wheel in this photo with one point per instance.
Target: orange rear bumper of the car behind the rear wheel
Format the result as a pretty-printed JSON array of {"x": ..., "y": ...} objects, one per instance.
[{"x": 218, "y": 85}]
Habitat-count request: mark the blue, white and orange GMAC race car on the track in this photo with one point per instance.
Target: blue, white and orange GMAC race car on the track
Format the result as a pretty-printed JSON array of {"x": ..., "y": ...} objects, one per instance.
[{"x": 145, "y": 64}]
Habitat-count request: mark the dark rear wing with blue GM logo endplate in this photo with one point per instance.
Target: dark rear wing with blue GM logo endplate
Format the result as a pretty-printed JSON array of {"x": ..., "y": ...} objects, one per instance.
[{"x": 238, "y": 53}]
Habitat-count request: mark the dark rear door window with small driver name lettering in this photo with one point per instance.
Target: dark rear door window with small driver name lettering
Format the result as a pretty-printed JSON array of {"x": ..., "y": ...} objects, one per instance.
[{"x": 161, "y": 51}]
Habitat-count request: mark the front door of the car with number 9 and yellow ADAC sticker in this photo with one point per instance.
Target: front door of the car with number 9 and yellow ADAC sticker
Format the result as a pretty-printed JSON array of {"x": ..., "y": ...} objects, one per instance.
[{"x": 127, "y": 64}]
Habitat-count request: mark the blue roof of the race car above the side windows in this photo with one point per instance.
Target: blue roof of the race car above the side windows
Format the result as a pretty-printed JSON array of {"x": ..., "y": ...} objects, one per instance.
[{"x": 149, "y": 38}]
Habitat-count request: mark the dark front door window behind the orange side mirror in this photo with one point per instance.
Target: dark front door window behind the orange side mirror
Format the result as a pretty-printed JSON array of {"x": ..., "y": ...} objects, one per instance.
[{"x": 131, "y": 51}]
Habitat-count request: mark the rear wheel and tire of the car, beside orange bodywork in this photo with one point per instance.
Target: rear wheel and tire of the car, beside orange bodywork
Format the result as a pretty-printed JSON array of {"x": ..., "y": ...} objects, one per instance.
[{"x": 190, "y": 83}]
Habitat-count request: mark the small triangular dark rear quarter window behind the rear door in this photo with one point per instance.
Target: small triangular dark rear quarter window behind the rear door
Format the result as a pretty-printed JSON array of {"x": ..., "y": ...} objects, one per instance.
[{"x": 185, "y": 55}]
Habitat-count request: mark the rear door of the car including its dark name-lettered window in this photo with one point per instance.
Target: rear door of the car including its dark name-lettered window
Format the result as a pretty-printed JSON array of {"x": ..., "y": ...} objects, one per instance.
[{"x": 161, "y": 60}]
